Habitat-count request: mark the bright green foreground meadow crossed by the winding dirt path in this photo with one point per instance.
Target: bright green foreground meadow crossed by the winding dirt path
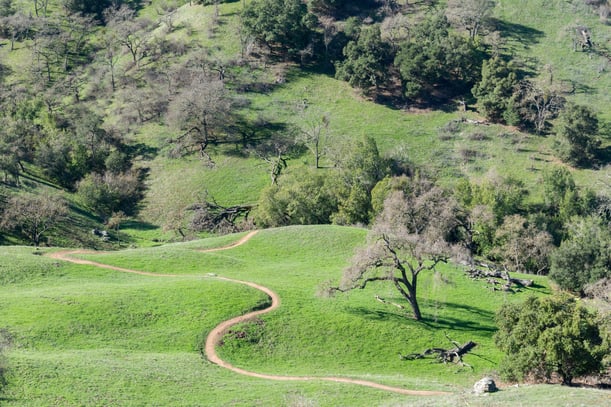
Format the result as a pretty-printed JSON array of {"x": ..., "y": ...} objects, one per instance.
[{"x": 88, "y": 336}]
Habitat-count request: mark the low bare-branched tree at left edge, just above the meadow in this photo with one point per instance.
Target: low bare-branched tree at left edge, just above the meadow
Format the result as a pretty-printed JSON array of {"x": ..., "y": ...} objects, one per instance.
[{"x": 33, "y": 215}]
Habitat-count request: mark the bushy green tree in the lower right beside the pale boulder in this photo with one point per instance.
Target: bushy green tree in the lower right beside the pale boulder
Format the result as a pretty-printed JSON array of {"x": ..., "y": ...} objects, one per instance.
[{"x": 543, "y": 336}]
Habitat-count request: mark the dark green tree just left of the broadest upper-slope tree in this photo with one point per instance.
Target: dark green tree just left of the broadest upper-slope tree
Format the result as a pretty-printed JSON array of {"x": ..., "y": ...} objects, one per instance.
[{"x": 367, "y": 60}]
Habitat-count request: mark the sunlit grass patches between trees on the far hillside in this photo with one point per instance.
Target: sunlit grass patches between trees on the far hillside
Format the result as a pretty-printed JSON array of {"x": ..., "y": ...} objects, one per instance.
[{"x": 538, "y": 34}]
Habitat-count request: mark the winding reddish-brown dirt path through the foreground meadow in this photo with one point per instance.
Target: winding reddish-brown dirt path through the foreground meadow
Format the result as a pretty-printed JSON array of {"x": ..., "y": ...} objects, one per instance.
[{"x": 216, "y": 335}]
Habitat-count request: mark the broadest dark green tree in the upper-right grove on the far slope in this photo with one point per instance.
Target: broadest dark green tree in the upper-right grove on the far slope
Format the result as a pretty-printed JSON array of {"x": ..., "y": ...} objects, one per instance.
[{"x": 434, "y": 55}]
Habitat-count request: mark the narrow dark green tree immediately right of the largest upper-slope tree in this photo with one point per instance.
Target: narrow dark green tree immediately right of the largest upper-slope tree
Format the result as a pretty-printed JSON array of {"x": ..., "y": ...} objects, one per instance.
[{"x": 495, "y": 89}]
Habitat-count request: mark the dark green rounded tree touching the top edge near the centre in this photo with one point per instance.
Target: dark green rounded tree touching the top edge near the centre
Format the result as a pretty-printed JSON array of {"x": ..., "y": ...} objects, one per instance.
[{"x": 279, "y": 24}]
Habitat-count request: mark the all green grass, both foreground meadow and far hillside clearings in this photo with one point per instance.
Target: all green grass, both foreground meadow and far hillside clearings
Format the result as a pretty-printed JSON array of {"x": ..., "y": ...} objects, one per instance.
[{"x": 87, "y": 336}]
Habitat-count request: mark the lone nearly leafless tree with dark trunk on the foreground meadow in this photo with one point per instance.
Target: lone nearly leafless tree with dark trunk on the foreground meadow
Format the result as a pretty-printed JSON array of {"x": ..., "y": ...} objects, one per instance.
[{"x": 409, "y": 237}]
